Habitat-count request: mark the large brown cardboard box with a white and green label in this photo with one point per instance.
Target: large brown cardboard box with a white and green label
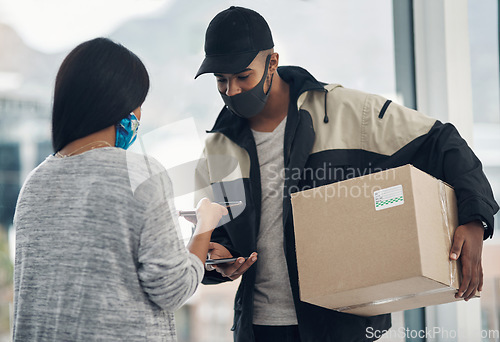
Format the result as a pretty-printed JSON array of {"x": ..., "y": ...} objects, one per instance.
[{"x": 378, "y": 243}]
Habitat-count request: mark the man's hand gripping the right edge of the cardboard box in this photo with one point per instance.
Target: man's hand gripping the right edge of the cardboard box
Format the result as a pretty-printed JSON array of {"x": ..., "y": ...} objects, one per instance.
[{"x": 468, "y": 246}]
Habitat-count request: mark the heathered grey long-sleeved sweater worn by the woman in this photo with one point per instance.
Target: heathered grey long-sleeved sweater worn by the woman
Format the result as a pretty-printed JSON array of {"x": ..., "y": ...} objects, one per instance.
[{"x": 98, "y": 251}]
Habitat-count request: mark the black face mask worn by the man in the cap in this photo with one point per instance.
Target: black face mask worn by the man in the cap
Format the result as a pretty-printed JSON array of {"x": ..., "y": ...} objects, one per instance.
[{"x": 250, "y": 102}]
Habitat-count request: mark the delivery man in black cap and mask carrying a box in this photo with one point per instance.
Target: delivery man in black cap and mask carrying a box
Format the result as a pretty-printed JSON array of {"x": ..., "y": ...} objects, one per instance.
[{"x": 279, "y": 122}]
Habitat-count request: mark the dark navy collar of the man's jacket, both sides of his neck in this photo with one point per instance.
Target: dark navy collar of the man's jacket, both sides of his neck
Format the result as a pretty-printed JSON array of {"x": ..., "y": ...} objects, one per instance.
[{"x": 237, "y": 129}]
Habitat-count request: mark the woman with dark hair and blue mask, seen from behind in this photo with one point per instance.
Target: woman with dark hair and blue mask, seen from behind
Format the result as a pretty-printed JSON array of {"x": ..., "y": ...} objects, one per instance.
[{"x": 98, "y": 255}]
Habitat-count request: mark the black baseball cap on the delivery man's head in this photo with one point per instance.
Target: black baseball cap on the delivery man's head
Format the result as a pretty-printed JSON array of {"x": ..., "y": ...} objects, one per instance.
[{"x": 233, "y": 38}]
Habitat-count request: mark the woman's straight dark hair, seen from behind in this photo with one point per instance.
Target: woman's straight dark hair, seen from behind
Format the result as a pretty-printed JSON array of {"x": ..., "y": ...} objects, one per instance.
[{"x": 98, "y": 84}]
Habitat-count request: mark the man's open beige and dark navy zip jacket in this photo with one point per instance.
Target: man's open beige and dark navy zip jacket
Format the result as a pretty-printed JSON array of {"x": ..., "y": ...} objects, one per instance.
[{"x": 346, "y": 133}]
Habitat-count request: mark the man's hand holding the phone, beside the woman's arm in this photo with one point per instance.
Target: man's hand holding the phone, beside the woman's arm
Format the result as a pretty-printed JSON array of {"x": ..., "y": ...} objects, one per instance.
[{"x": 231, "y": 270}]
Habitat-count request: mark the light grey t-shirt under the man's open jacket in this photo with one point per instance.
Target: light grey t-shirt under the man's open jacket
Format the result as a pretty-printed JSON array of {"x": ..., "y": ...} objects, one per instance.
[{"x": 273, "y": 301}]
